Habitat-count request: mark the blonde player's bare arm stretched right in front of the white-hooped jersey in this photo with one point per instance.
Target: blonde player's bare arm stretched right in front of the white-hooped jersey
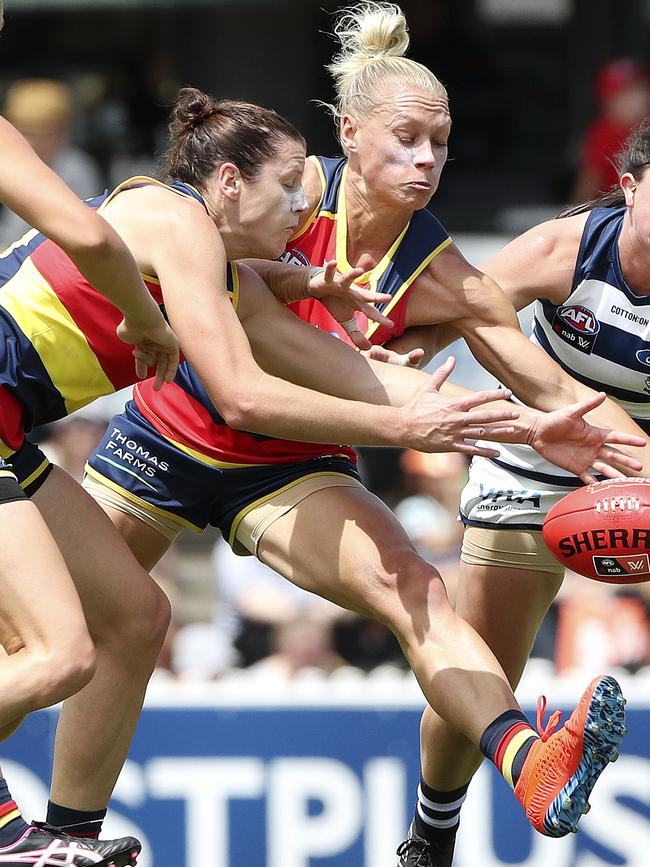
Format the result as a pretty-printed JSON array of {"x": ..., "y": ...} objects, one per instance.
[{"x": 474, "y": 307}]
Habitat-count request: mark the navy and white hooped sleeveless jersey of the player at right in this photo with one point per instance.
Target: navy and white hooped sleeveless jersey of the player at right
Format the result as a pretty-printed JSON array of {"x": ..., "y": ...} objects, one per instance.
[{"x": 600, "y": 334}]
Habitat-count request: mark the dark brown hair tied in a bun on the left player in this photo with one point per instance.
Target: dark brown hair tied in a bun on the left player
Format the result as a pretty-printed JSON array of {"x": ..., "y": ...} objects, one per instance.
[{"x": 205, "y": 132}]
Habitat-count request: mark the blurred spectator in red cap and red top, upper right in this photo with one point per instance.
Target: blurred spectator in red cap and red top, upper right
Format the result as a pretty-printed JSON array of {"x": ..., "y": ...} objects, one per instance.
[{"x": 622, "y": 89}]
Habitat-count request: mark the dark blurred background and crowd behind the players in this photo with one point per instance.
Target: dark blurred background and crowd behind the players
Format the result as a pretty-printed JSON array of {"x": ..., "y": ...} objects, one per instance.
[{"x": 524, "y": 144}]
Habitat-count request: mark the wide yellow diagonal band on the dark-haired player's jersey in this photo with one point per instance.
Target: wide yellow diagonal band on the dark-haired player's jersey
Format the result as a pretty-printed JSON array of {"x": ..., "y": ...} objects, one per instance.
[{"x": 41, "y": 317}]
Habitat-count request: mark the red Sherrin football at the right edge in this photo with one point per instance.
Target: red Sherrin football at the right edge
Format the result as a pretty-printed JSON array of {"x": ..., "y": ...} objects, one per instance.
[{"x": 603, "y": 531}]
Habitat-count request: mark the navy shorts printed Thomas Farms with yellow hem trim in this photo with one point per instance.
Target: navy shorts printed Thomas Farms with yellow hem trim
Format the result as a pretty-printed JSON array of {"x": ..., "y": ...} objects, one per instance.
[{"x": 136, "y": 461}]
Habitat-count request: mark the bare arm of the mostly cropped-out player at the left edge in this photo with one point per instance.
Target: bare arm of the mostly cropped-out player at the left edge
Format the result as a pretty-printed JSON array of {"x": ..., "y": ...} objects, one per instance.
[{"x": 35, "y": 193}]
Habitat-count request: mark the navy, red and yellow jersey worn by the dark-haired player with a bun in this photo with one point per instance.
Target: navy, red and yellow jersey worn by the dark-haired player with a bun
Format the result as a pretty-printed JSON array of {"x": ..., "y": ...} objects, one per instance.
[{"x": 59, "y": 348}]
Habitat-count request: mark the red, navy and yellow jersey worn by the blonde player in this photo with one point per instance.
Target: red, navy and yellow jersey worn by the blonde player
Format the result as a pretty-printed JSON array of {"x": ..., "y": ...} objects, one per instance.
[{"x": 182, "y": 411}]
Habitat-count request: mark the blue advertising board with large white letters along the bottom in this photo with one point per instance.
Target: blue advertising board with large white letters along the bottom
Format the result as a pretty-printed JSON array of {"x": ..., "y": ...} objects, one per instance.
[{"x": 321, "y": 786}]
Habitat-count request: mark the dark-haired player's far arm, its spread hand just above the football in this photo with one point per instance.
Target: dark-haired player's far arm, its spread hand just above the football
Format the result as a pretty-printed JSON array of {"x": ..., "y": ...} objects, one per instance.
[{"x": 305, "y": 355}]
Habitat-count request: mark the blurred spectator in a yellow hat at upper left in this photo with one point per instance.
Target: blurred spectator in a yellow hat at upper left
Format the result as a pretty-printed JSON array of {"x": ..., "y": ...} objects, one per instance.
[{"x": 41, "y": 109}]
